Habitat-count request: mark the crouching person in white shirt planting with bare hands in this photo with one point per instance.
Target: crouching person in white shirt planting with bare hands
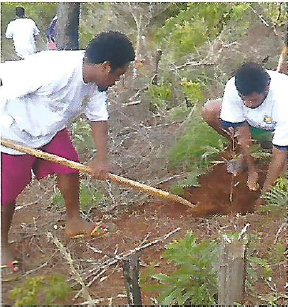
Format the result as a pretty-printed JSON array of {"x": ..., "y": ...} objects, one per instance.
[{"x": 254, "y": 103}]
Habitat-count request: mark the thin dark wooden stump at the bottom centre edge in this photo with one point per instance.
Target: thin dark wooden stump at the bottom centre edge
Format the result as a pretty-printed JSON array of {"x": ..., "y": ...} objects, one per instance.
[{"x": 130, "y": 267}]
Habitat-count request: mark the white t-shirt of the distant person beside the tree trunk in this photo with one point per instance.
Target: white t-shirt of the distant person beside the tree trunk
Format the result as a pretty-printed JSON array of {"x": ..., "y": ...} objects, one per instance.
[{"x": 23, "y": 30}]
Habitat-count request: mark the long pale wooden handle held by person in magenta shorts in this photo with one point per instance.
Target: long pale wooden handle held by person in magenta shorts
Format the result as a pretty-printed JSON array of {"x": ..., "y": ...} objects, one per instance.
[{"x": 83, "y": 168}]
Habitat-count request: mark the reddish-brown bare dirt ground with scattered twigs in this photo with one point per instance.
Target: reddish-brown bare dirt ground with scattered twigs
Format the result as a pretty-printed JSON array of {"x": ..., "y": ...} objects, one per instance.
[{"x": 138, "y": 225}]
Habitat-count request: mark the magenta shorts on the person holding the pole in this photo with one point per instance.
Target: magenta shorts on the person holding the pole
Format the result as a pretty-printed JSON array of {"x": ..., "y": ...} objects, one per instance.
[{"x": 16, "y": 169}]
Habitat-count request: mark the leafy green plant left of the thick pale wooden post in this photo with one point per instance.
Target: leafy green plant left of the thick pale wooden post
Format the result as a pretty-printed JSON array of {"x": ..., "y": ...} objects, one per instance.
[{"x": 194, "y": 281}]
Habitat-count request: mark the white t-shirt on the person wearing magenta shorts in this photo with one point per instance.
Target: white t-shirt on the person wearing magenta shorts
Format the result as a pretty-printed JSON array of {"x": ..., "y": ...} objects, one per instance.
[{"x": 42, "y": 94}]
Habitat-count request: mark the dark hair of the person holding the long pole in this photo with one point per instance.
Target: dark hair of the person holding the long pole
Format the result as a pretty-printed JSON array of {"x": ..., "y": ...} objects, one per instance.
[{"x": 110, "y": 46}]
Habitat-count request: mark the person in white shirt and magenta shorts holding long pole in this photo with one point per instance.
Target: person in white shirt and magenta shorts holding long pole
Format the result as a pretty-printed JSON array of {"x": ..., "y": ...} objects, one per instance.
[{"x": 40, "y": 96}]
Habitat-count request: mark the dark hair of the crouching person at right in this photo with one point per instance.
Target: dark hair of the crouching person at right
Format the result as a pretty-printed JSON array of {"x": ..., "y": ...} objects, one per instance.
[{"x": 250, "y": 78}]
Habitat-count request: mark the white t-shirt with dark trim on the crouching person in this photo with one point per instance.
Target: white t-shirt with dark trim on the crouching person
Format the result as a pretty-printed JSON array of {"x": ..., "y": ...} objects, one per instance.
[{"x": 271, "y": 115}]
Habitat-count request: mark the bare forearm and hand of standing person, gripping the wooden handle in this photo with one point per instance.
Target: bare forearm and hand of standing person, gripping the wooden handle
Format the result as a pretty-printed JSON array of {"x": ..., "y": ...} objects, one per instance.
[{"x": 100, "y": 165}]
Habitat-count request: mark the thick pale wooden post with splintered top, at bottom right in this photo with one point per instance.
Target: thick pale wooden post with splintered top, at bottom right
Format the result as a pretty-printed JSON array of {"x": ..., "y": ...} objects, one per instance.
[{"x": 232, "y": 270}]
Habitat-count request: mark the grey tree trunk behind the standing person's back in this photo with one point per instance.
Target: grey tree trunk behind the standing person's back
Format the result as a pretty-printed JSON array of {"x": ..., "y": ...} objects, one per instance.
[{"x": 67, "y": 36}]
